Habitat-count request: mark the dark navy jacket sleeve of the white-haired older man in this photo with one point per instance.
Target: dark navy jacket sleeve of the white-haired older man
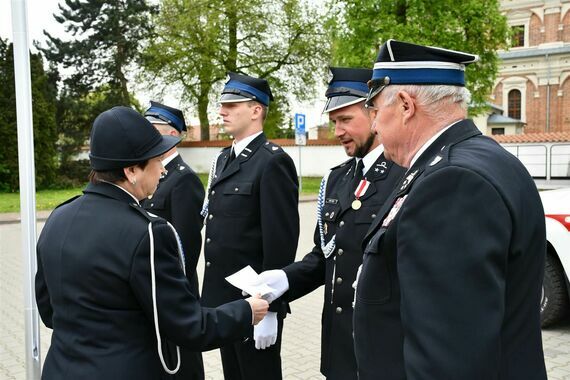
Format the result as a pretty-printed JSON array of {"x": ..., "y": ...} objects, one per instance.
[{"x": 453, "y": 239}]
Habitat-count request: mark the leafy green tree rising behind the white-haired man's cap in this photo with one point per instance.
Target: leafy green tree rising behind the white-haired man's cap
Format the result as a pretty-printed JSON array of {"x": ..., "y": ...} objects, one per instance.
[{"x": 474, "y": 26}]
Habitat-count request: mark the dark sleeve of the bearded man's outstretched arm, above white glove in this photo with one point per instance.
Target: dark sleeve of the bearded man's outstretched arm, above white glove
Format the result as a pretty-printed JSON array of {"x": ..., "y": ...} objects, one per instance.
[{"x": 308, "y": 274}]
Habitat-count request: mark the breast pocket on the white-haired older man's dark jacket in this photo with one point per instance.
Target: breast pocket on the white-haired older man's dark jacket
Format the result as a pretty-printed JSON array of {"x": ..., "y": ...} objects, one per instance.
[{"x": 374, "y": 285}]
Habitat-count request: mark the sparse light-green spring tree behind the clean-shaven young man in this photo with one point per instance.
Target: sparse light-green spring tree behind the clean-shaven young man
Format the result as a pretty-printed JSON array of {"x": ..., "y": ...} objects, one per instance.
[{"x": 198, "y": 41}]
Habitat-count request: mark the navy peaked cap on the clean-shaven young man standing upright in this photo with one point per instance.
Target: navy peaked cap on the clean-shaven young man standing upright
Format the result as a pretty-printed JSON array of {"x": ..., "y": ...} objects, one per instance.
[{"x": 243, "y": 88}]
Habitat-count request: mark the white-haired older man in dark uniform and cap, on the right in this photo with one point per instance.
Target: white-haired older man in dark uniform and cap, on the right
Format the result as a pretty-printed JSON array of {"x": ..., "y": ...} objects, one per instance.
[{"x": 453, "y": 264}]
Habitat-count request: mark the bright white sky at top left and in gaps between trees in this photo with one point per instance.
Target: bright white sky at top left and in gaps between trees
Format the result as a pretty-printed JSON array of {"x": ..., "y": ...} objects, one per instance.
[{"x": 40, "y": 17}]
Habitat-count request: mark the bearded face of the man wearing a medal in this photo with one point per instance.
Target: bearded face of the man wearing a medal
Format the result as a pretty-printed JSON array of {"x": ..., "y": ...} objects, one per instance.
[{"x": 352, "y": 128}]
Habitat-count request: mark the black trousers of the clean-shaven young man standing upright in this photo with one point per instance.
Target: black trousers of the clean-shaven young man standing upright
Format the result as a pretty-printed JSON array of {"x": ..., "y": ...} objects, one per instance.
[{"x": 242, "y": 361}]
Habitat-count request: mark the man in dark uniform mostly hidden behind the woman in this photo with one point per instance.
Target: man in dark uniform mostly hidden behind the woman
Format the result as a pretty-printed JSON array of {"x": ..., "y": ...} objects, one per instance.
[{"x": 179, "y": 199}]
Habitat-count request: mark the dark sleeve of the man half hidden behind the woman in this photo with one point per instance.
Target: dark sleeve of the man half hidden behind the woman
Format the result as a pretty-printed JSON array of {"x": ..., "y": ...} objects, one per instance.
[{"x": 187, "y": 199}]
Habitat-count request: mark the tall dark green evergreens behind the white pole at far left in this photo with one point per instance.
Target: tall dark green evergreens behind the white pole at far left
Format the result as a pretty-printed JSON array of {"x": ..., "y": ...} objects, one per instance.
[{"x": 44, "y": 127}]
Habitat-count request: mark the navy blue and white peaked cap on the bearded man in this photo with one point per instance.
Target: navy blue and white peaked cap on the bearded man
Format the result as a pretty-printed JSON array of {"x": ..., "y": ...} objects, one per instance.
[{"x": 348, "y": 86}]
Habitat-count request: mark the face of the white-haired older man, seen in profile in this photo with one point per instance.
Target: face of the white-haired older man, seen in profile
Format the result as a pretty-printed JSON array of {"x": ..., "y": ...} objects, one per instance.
[{"x": 388, "y": 124}]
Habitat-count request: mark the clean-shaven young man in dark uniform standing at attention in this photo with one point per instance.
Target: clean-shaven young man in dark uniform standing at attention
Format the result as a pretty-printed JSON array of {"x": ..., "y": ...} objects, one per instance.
[{"x": 252, "y": 218}]
